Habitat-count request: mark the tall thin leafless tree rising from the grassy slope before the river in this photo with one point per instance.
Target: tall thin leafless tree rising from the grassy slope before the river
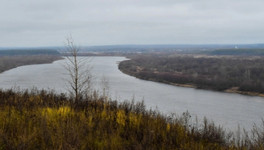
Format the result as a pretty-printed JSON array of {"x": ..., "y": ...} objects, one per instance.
[{"x": 78, "y": 69}]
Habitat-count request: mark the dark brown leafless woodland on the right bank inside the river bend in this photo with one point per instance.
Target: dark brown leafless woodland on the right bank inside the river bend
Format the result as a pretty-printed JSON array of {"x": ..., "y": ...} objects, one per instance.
[{"x": 216, "y": 73}]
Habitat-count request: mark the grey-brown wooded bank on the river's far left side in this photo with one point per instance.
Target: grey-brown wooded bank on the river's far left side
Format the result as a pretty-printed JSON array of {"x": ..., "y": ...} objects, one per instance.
[{"x": 9, "y": 62}]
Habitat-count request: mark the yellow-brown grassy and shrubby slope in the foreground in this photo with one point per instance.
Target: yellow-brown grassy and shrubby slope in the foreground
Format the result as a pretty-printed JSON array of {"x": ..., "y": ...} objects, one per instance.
[{"x": 45, "y": 120}]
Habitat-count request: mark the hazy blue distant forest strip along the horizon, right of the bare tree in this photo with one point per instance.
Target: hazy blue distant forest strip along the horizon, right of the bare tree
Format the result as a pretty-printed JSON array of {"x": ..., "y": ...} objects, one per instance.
[{"x": 181, "y": 48}]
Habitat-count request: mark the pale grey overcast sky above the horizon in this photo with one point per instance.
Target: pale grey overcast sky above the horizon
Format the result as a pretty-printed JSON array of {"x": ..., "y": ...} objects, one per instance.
[{"x": 109, "y": 22}]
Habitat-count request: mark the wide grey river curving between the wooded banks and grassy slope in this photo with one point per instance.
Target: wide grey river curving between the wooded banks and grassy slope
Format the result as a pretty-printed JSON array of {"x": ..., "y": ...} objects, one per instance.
[{"x": 225, "y": 109}]
